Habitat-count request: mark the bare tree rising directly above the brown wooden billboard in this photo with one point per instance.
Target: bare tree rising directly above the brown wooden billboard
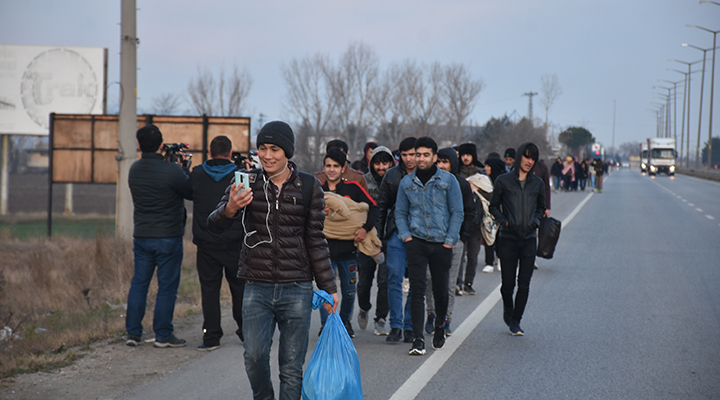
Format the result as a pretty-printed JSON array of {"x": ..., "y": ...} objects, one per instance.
[{"x": 221, "y": 96}]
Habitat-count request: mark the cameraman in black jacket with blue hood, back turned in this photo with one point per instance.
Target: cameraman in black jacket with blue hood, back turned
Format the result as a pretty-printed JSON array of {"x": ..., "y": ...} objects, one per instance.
[{"x": 216, "y": 253}]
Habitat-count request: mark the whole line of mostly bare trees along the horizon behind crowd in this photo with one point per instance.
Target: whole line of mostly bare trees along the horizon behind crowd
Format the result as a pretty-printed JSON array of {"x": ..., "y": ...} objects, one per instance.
[{"x": 354, "y": 99}]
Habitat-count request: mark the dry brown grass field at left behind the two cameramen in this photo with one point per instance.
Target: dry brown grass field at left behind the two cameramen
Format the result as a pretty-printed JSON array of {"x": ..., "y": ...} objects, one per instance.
[{"x": 57, "y": 296}]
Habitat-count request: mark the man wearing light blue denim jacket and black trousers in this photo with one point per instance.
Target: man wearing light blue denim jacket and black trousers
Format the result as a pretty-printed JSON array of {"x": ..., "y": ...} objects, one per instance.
[{"x": 428, "y": 214}]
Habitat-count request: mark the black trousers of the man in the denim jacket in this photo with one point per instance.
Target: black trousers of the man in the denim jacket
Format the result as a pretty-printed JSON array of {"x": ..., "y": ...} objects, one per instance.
[{"x": 421, "y": 255}]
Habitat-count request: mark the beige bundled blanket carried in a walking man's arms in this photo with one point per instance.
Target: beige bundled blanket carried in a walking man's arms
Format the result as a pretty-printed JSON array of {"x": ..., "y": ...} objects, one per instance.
[{"x": 347, "y": 216}]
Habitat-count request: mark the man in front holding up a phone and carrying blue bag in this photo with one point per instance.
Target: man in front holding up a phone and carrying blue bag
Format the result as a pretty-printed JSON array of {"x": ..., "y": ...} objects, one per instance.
[{"x": 283, "y": 252}]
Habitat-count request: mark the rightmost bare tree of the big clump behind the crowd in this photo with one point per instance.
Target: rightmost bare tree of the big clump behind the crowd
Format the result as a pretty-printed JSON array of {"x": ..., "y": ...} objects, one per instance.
[{"x": 460, "y": 93}]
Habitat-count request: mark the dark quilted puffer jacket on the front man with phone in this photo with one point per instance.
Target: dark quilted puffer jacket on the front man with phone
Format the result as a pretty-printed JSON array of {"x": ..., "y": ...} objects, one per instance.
[{"x": 295, "y": 249}]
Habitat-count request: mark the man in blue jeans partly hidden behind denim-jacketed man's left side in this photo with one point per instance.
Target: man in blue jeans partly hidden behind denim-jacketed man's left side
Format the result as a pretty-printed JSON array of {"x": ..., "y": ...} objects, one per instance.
[{"x": 387, "y": 230}]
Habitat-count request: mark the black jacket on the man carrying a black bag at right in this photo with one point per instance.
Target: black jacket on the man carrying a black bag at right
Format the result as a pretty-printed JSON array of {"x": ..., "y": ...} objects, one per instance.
[{"x": 520, "y": 208}]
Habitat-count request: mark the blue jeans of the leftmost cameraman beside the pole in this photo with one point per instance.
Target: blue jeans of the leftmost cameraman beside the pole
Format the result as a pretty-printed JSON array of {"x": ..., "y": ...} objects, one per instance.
[{"x": 165, "y": 254}]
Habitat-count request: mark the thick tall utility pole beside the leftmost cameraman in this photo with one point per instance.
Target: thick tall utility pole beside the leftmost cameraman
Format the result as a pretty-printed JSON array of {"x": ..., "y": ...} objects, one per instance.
[{"x": 127, "y": 123}]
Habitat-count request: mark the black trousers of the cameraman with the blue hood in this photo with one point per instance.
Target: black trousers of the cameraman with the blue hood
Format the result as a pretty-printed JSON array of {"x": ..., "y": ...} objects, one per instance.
[{"x": 211, "y": 264}]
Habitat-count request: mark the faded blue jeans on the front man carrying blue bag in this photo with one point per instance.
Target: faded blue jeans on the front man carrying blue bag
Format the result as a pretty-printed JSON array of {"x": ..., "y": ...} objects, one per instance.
[{"x": 289, "y": 306}]
